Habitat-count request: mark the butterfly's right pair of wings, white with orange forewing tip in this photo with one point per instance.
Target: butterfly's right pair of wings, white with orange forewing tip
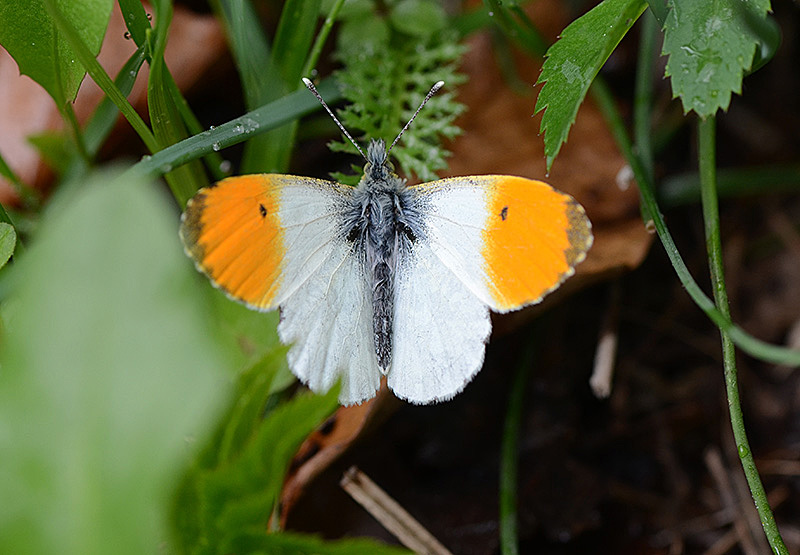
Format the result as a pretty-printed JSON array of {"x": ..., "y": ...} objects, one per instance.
[{"x": 495, "y": 242}]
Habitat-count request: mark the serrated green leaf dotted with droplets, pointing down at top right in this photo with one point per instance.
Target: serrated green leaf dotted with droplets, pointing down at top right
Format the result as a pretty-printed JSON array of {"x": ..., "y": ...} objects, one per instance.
[{"x": 710, "y": 44}]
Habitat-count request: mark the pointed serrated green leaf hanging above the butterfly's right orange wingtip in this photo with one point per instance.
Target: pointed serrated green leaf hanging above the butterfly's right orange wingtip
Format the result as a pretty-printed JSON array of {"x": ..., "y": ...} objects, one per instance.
[{"x": 573, "y": 62}]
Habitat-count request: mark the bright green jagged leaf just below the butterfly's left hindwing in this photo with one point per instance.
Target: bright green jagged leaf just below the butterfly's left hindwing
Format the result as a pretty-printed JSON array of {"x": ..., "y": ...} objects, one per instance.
[{"x": 231, "y": 492}]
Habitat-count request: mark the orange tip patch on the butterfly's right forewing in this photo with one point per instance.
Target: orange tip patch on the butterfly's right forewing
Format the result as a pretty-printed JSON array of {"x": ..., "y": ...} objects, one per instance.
[{"x": 534, "y": 237}]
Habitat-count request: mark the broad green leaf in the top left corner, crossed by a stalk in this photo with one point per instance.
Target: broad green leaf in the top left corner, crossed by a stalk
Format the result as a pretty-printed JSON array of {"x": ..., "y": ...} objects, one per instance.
[{"x": 29, "y": 35}]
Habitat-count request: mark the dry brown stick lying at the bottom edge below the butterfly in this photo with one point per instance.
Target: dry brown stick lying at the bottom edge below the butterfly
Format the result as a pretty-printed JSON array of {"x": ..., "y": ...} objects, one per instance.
[{"x": 390, "y": 514}]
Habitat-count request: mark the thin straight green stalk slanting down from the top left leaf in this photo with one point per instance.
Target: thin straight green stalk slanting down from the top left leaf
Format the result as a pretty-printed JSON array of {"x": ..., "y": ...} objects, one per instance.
[{"x": 100, "y": 76}]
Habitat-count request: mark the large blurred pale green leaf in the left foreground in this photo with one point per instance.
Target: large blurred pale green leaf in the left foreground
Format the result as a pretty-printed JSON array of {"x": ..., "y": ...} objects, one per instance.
[{"x": 108, "y": 376}]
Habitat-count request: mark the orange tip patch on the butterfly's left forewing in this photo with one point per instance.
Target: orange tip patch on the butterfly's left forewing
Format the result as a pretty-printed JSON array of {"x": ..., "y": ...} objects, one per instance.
[{"x": 233, "y": 233}]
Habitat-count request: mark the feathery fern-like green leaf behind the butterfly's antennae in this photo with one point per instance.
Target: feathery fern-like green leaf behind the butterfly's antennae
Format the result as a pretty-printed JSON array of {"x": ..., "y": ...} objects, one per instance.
[{"x": 391, "y": 58}]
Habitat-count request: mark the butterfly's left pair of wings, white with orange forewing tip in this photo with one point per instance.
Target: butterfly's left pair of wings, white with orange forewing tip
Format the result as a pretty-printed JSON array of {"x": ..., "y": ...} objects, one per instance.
[{"x": 275, "y": 240}]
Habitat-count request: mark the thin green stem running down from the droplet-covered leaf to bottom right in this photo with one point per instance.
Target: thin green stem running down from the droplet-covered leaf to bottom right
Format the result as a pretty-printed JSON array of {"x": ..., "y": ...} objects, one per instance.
[{"x": 708, "y": 189}]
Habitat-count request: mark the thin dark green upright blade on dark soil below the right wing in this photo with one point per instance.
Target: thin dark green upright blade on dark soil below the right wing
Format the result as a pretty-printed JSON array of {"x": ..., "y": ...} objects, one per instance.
[{"x": 509, "y": 525}]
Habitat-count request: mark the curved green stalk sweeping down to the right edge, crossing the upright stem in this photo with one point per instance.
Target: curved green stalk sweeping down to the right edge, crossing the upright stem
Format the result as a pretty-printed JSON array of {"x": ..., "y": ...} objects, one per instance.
[{"x": 745, "y": 341}]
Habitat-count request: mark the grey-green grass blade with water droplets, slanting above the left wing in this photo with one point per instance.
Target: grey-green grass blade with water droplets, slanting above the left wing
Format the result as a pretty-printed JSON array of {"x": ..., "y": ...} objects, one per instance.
[{"x": 274, "y": 114}]
